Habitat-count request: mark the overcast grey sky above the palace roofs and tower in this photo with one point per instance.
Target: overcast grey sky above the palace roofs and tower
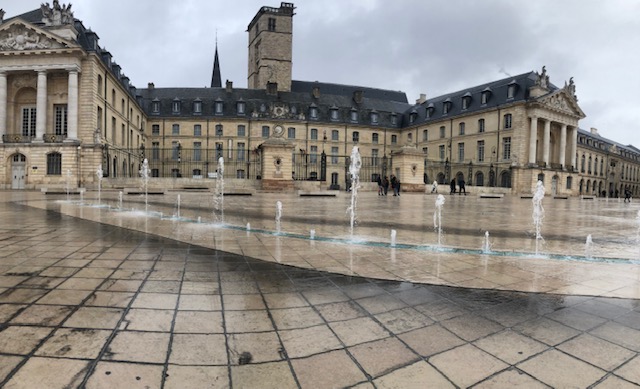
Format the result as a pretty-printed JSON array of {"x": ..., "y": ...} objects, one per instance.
[{"x": 415, "y": 46}]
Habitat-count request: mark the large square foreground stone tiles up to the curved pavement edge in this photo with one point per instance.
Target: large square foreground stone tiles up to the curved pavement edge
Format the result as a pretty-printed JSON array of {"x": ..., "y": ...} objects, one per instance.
[{"x": 95, "y": 305}]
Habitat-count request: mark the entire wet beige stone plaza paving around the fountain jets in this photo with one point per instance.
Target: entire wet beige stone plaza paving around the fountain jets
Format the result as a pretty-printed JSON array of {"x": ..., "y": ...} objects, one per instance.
[{"x": 107, "y": 298}]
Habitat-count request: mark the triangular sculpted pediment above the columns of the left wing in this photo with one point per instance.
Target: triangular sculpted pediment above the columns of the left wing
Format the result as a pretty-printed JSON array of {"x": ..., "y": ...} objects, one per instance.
[{"x": 19, "y": 36}]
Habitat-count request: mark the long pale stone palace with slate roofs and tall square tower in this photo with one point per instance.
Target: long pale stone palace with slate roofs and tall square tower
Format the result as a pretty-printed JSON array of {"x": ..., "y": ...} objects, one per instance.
[{"x": 67, "y": 108}]
